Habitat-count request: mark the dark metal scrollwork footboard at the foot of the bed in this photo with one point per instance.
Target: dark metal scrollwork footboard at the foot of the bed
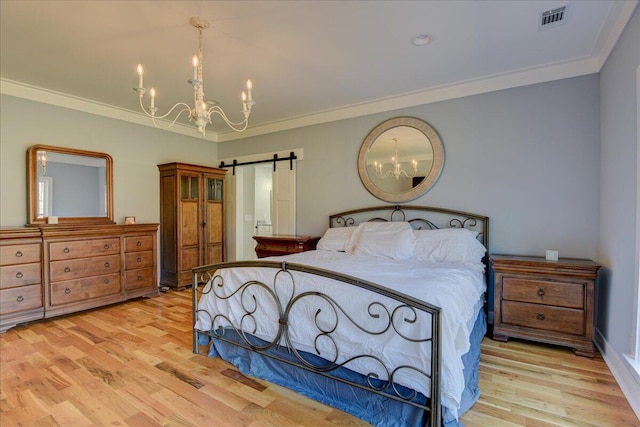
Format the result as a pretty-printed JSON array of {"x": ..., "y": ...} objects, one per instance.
[{"x": 270, "y": 314}]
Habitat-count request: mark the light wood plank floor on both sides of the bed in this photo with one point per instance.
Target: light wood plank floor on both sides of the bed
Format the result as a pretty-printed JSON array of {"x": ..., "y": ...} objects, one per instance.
[{"x": 131, "y": 365}]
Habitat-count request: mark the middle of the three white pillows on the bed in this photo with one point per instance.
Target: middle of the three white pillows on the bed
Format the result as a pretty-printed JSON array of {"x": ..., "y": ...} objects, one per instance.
[{"x": 382, "y": 239}]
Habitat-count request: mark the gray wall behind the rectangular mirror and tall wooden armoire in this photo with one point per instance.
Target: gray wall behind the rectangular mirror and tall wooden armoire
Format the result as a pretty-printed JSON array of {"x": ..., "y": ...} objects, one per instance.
[{"x": 136, "y": 152}]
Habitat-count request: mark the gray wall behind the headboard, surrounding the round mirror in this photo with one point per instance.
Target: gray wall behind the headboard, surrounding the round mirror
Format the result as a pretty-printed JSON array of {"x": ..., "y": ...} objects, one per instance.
[{"x": 527, "y": 157}]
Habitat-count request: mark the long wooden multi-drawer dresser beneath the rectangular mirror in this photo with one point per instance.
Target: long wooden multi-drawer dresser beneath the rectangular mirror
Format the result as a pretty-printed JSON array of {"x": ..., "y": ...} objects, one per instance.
[{"x": 54, "y": 270}]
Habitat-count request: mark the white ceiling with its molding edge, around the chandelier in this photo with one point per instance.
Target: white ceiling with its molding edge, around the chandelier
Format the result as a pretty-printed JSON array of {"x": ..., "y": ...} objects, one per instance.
[{"x": 310, "y": 61}]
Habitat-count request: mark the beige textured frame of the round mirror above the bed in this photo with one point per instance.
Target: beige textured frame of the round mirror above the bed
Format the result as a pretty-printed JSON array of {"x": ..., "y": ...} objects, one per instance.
[{"x": 427, "y": 182}]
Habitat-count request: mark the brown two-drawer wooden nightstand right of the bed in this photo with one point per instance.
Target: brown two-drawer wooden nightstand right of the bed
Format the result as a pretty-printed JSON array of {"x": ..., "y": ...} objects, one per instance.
[{"x": 545, "y": 301}]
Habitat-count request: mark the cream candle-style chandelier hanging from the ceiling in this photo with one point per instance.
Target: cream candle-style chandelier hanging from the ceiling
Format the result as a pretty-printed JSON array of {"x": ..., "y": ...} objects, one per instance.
[{"x": 201, "y": 113}]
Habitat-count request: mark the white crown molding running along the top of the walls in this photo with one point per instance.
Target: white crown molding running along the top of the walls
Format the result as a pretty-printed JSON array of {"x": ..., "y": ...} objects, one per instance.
[{"x": 523, "y": 77}]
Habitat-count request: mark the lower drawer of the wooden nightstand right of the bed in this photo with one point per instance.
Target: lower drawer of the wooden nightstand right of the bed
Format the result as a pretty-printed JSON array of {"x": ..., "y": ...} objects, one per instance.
[{"x": 558, "y": 319}]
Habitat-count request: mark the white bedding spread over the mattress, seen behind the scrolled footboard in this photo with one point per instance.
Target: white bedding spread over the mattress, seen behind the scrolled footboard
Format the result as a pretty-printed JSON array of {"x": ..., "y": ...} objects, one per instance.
[{"x": 457, "y": 289}]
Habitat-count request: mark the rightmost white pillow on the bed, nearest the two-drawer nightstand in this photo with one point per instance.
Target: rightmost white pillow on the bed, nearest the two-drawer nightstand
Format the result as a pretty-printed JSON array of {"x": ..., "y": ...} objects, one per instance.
[{"x": 456, "y": 245}]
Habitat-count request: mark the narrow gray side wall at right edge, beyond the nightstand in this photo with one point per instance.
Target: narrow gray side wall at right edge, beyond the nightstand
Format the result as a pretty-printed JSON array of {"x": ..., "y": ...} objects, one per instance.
[{"x": 618, "y": 226}]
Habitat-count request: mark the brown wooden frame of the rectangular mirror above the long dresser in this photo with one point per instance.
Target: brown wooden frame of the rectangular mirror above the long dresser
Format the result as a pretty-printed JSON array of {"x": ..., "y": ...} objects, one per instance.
[{"x": 32, "y": 186}]
